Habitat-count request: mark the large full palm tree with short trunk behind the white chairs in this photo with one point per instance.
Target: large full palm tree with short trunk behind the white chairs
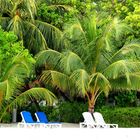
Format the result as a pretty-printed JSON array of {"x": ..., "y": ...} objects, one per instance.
[{"x": 96, "y": 62}]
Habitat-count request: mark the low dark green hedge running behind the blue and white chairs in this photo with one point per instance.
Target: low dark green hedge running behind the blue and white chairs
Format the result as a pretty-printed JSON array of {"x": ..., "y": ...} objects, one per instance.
[{"x": 71, "y": 112}]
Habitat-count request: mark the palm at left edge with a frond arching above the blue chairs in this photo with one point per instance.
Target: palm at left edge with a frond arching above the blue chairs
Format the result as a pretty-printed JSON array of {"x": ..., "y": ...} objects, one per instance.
[{"x": 16, "y": 88}]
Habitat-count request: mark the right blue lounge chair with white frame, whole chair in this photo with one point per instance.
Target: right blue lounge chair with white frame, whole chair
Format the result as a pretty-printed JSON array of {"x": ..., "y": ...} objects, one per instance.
[{"x": 42, "y": 118}]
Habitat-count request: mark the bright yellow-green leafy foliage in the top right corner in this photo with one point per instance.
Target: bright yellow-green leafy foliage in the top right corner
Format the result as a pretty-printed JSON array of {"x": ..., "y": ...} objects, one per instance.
[{"x": 128, "y": 11}]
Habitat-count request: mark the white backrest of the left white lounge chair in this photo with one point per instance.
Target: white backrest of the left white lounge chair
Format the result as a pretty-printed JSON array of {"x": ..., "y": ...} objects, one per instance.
[{"x": 88, "y": 118}]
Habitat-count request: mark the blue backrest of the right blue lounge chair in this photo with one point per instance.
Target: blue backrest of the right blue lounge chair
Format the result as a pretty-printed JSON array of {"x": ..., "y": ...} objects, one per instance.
[{"x": 41, "y": 117}]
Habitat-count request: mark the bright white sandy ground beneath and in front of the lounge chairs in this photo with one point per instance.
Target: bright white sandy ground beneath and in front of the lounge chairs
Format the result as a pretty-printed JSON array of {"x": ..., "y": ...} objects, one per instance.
[{"x": 68, "y": 131}]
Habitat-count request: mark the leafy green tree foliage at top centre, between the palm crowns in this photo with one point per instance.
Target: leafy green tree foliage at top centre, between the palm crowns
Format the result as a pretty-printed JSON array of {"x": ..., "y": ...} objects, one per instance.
[{"x": 60, "y": 12}]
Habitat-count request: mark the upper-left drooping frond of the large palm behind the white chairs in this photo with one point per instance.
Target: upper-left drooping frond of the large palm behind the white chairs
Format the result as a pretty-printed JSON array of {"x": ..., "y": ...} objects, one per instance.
[{"x": 76, "y": 35}]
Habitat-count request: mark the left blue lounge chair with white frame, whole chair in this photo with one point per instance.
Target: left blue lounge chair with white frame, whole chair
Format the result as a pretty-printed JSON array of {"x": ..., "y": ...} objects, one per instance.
[{"x": 27, "y": 120}]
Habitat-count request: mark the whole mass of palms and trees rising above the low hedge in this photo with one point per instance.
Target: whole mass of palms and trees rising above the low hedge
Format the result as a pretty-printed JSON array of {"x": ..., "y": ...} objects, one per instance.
[{"x": 68, "y": 50}]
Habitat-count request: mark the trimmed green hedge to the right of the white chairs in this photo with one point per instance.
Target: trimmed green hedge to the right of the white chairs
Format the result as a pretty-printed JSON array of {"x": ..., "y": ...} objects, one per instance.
[{"x": 124, "y": 117}]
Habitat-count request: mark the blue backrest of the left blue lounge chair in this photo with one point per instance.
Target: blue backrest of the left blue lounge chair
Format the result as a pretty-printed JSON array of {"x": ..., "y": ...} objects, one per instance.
[{"x": 26, "y": 117}]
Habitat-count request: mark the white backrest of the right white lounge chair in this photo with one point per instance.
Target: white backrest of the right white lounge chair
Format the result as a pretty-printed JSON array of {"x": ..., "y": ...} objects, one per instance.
[{"x": 98, "y": 118}]
